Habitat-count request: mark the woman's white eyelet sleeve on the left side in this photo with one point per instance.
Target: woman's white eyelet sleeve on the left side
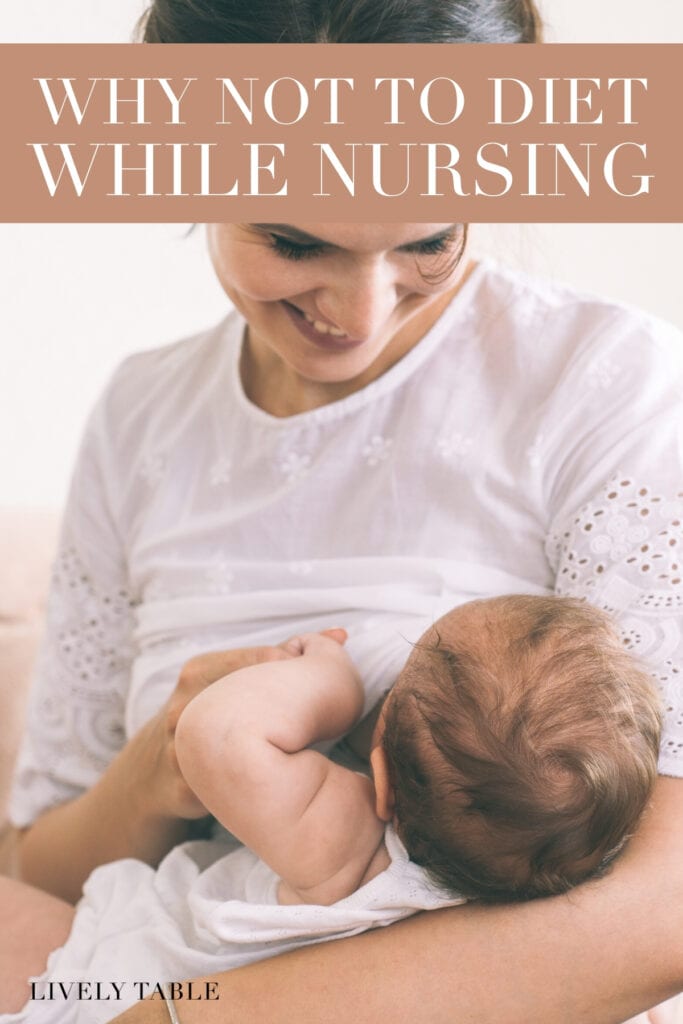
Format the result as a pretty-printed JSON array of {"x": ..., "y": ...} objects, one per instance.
[{"x": 76, "y": 712}]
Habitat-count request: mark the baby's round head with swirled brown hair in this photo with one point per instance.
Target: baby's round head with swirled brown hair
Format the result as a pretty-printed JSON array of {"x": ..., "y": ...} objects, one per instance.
[{"x": 521, "y": 746}]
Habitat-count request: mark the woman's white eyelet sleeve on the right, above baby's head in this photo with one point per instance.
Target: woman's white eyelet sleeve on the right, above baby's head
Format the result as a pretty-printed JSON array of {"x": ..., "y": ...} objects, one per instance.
[{"x": 617, "y": 535}]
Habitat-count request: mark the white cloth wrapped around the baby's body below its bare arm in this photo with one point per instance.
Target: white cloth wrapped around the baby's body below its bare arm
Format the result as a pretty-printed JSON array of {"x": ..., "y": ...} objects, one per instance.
[{"x": 199, "y": 916}]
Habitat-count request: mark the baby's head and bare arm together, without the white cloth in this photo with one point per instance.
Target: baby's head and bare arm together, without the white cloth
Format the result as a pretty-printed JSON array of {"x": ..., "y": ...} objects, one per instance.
[{"x": 514, "y": 757}]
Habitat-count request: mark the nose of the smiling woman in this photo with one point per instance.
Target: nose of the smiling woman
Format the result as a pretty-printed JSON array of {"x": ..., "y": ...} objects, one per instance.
[{"x": 361, "y": 300}]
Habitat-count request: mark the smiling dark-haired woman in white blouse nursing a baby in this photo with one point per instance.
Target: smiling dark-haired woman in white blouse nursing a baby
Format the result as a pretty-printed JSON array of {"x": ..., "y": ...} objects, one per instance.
[{"x": 391, "y": 419}]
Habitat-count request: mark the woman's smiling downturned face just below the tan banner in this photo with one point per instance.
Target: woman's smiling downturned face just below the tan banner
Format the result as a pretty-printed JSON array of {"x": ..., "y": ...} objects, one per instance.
[{"x": 333, "y": 306}]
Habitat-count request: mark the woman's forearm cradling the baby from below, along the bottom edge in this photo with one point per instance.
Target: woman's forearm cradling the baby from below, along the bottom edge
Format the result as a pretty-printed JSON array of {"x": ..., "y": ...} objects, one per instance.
[{"x": 597, "y": 956}]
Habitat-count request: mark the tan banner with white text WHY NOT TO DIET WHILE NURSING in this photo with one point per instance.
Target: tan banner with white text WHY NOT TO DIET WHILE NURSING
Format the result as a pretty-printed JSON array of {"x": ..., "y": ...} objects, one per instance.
[{"x": 341, "y": 134}]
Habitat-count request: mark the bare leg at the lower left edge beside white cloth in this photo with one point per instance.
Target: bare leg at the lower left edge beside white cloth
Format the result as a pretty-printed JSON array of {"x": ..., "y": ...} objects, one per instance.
[{"x": 35, "y": 925}]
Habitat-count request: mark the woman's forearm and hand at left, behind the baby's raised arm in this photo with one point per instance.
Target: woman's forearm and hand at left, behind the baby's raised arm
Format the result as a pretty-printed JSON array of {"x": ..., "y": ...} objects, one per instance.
[{"x": 141, "y": 807}]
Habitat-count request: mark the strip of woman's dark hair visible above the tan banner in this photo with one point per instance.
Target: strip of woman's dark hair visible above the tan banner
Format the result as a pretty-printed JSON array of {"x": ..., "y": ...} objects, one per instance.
[{"x": 341, "y": 22}]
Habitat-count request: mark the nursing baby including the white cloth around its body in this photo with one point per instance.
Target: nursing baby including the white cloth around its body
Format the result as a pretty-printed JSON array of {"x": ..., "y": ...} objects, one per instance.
[{"x": 514, "y": 757}]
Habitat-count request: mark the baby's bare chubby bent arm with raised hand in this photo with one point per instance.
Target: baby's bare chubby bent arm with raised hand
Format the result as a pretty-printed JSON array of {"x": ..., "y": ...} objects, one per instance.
[{"x": 242, "y": 748}]
